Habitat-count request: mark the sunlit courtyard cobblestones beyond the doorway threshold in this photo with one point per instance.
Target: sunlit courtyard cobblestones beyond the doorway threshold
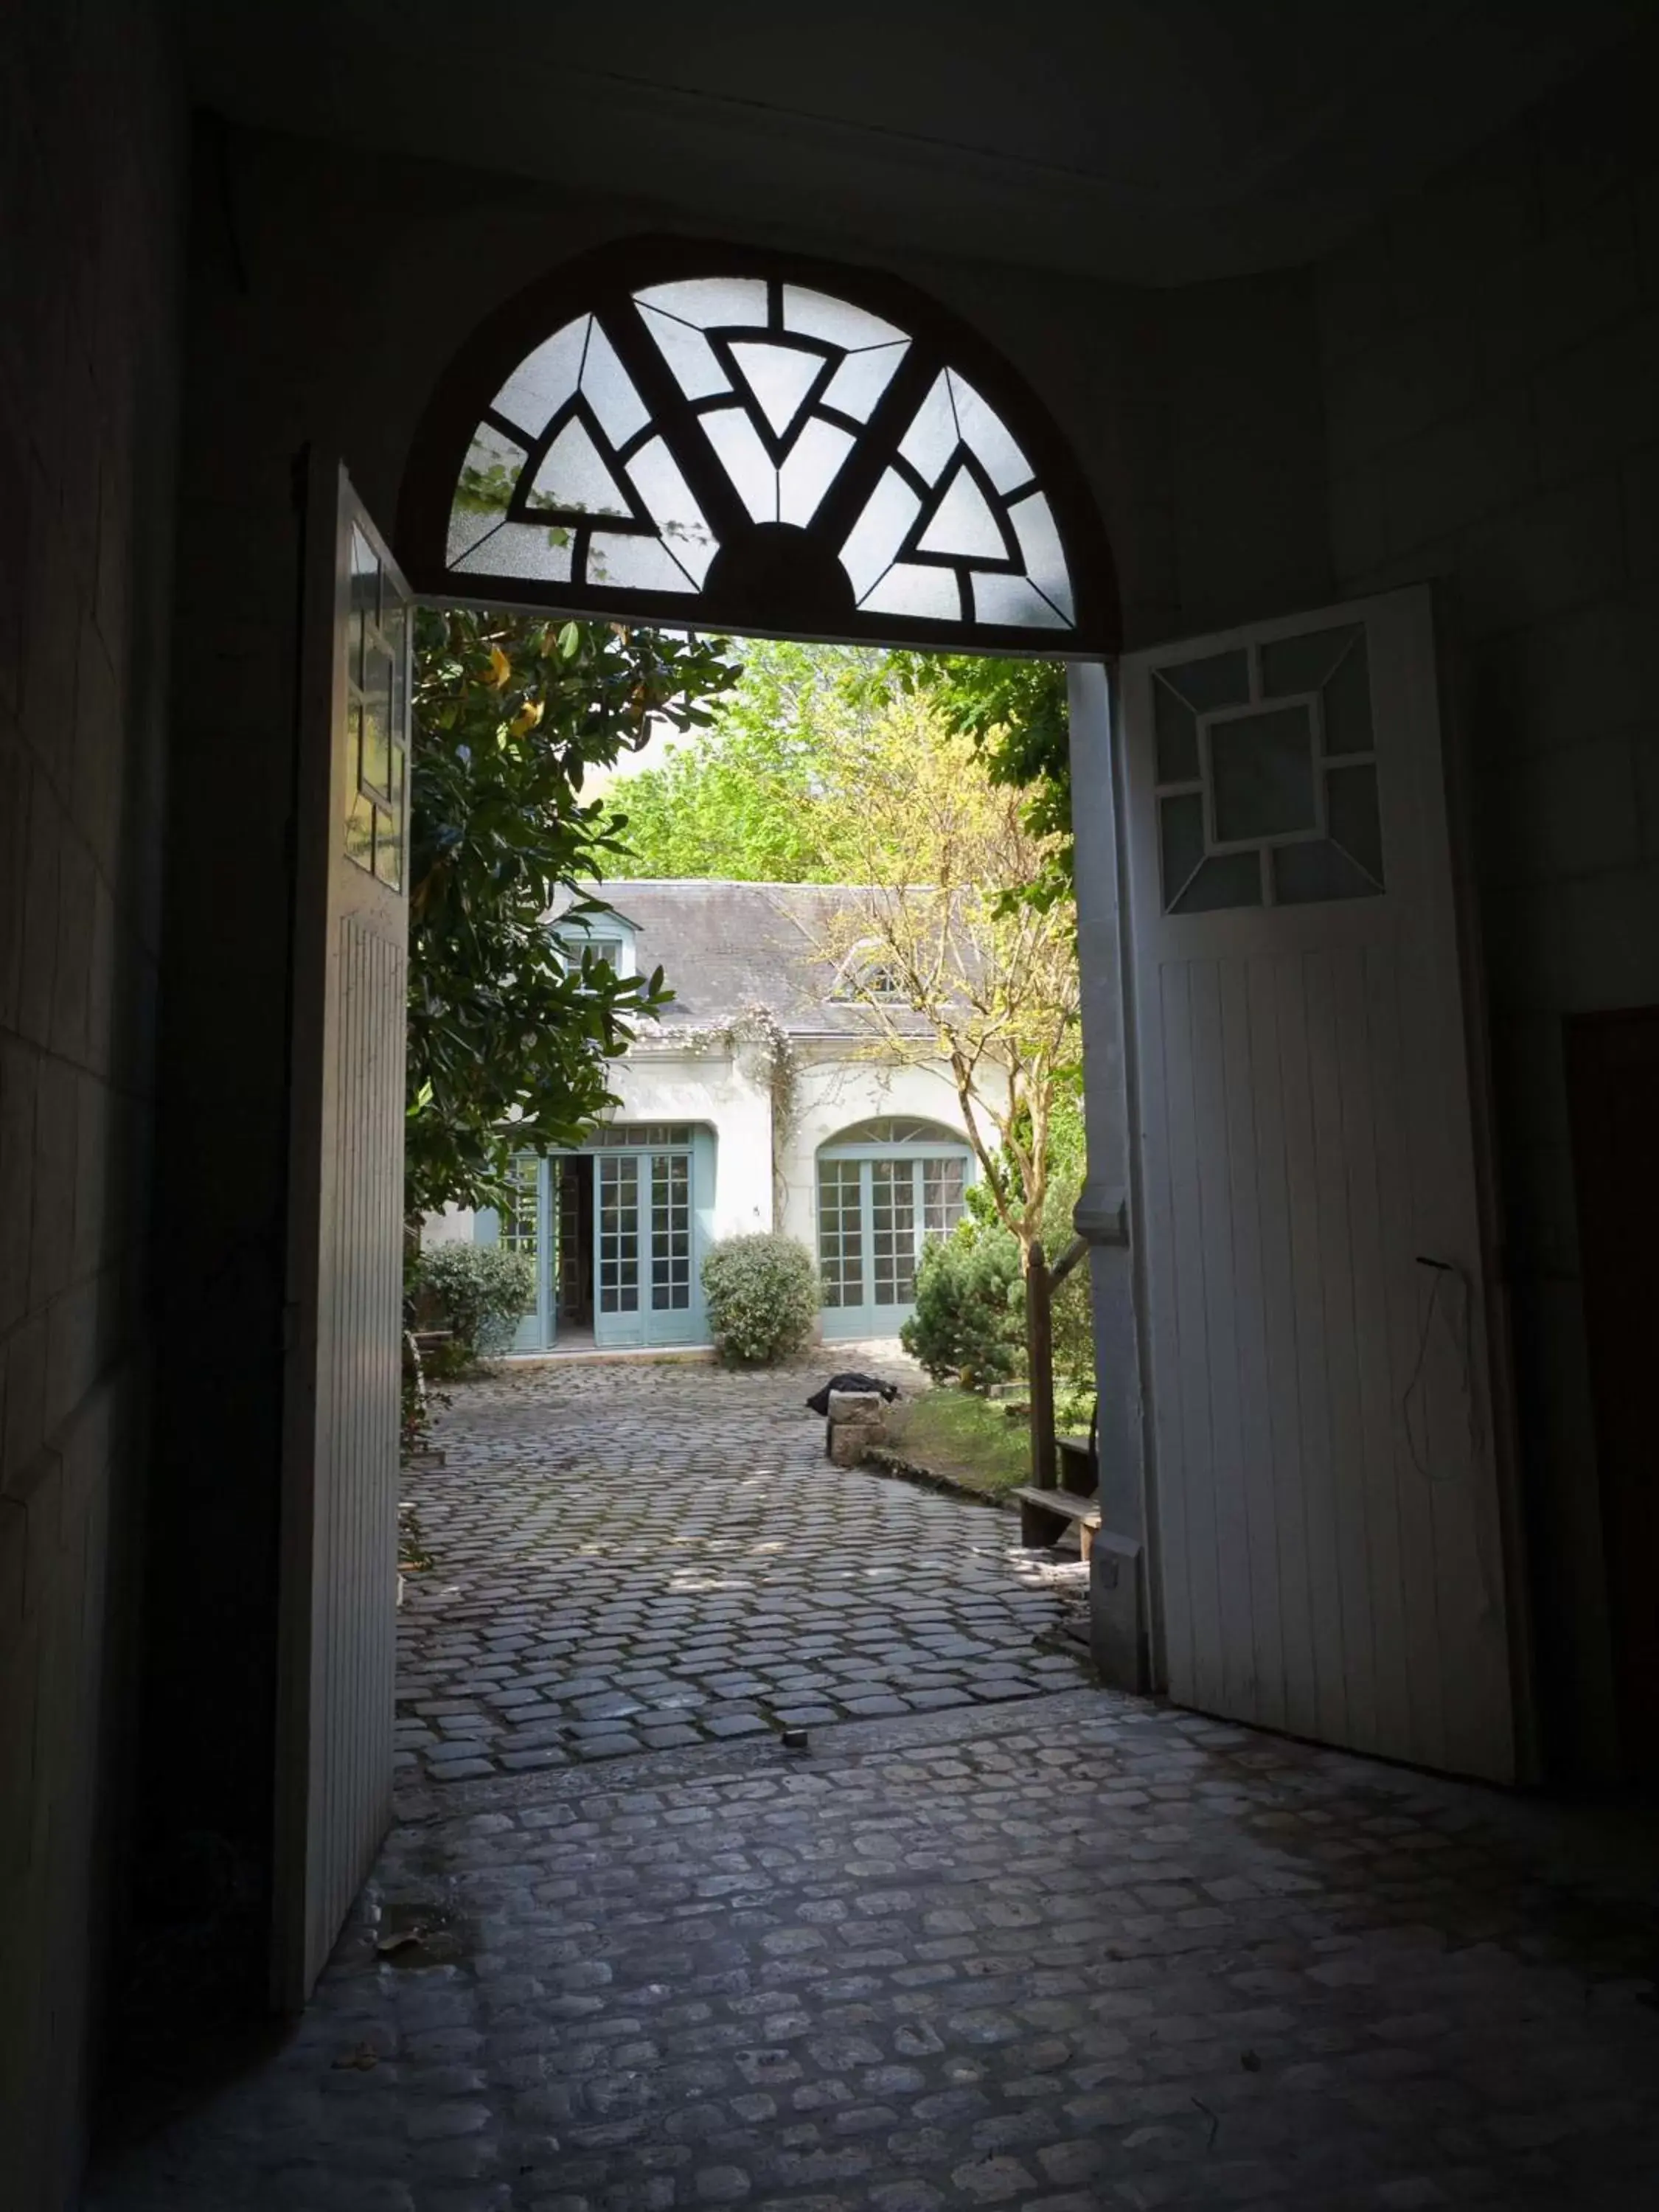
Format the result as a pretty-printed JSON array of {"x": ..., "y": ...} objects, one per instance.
[{"x": 658, "y": 1554}]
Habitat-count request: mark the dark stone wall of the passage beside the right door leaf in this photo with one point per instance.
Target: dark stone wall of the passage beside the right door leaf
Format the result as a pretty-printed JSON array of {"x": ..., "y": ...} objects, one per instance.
[{"x": 1492, "y": 410}]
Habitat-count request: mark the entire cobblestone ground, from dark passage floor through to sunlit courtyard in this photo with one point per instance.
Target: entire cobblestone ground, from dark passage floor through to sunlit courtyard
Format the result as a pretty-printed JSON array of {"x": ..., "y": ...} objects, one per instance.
[{"x": 1047, "y": 1950}]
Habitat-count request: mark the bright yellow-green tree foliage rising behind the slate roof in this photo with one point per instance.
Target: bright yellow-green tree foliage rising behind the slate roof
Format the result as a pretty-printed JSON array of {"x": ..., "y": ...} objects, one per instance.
[{"x": 760, "y": 797}]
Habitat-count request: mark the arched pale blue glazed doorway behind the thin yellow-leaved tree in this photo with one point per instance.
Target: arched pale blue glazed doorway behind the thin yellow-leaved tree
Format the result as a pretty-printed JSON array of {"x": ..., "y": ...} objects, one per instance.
[{"x": 886, "y": 1191}]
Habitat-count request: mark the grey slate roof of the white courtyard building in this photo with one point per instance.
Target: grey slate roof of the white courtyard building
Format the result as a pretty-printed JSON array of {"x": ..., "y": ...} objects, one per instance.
[{"x": 733, "y": 946}]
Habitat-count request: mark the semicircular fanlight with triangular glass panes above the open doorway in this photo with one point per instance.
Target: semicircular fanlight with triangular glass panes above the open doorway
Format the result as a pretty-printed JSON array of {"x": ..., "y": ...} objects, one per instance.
[{"x": 738, "y": 444}]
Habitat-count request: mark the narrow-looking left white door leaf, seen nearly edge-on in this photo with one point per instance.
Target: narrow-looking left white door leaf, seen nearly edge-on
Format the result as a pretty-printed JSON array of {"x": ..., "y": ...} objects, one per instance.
[{"x": 346, "y": 1233}]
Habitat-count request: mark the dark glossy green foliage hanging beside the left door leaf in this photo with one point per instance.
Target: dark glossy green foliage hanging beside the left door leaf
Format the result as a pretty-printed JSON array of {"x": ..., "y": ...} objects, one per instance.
[{"x": 510, "y": 716}]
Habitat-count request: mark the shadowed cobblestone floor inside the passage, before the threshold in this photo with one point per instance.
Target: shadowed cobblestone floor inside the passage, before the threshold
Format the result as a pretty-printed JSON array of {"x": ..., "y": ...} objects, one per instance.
[{"x": 1056, "y": 1957}]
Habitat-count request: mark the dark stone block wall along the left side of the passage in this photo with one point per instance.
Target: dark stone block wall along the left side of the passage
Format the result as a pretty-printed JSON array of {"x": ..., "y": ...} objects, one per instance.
[{"x": 90, "y": 282}]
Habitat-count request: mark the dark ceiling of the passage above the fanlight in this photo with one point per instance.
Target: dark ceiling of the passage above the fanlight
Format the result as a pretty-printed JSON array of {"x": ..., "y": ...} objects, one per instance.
[{"x": 1149, "y": 140}]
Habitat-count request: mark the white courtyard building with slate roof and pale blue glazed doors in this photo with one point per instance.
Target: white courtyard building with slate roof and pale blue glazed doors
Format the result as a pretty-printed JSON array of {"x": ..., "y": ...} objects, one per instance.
[{"x": 762, "y": 1100}]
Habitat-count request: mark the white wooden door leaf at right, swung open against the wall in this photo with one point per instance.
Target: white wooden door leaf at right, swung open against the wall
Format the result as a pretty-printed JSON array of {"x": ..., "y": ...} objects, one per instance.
[{"x": 1331, "y": 1496}]
